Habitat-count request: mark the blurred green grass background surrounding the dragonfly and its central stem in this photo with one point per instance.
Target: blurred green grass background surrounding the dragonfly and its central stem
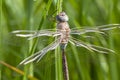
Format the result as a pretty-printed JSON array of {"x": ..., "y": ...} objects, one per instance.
[{"x": 40, "y": 14}]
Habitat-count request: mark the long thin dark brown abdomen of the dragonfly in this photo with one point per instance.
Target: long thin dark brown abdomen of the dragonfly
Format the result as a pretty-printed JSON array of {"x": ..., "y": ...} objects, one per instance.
[{"x": 65, "y": 66}]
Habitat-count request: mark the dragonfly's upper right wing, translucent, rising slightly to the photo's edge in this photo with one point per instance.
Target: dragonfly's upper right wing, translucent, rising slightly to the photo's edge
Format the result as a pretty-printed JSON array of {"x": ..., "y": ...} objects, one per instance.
[{"x": 98, "y": 29}]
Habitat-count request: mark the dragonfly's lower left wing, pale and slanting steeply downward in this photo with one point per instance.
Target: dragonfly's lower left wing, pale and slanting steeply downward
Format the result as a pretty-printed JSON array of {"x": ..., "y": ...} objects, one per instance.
[{"x": 38, "y": 55}]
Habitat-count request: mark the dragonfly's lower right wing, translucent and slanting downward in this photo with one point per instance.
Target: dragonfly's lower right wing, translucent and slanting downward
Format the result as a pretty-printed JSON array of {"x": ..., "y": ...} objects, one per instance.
[{"x": 90, "y": 47}]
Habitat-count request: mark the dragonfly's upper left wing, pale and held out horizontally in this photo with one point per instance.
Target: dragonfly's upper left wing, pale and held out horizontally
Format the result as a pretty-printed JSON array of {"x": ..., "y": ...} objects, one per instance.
[{"x": 32, "y": 34}]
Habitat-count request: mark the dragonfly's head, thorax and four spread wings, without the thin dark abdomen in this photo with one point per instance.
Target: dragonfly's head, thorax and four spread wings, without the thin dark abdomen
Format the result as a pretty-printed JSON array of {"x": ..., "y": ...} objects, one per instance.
[{"x": 63, "y": 37}]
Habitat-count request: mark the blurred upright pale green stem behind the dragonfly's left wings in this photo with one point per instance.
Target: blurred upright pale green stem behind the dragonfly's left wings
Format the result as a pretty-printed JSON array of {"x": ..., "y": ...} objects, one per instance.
[{"x": 29, "y": 24}]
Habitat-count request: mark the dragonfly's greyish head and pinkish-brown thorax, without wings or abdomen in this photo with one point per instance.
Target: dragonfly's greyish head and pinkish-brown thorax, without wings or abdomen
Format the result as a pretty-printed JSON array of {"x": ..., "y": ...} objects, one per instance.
[{"x": 63, "y": 27}]
